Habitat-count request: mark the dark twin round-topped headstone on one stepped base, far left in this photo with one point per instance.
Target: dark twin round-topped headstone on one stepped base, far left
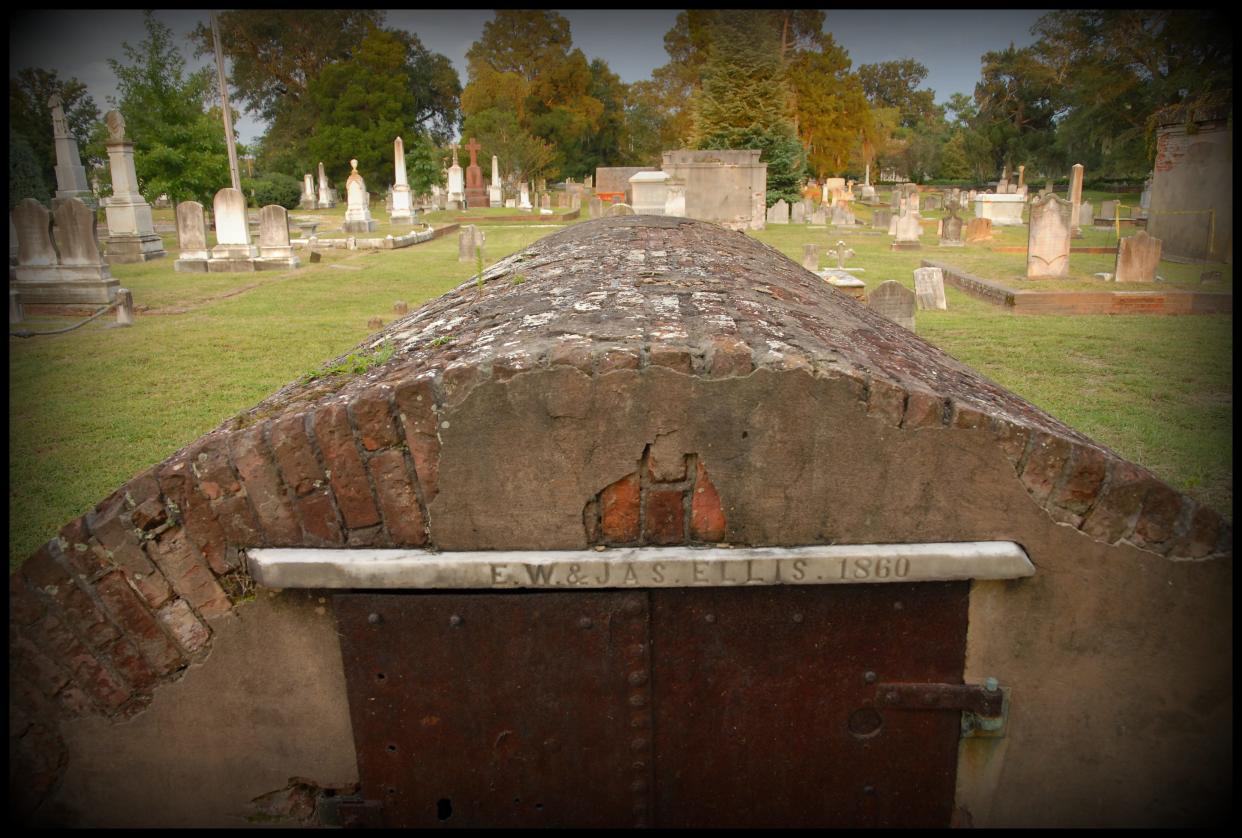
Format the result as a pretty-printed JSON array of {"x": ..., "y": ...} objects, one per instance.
[{"x": 61, "y": 265}]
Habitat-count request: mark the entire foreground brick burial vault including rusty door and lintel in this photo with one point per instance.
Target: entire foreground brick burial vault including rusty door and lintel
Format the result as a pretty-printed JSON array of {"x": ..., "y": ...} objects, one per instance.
[{"x": 637, "y": 393}]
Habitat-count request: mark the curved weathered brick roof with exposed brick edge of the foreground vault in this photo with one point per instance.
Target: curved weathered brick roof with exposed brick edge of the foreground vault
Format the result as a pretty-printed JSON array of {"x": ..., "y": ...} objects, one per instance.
[{"x": 163, "y": 552}]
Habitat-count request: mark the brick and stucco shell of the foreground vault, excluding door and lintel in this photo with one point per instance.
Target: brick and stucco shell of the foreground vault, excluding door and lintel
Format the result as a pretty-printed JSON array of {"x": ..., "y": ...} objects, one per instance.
[{"x": 627, "y": 382}]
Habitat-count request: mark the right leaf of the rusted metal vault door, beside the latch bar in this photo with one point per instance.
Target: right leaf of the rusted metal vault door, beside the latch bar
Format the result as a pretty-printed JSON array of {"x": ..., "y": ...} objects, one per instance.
[{"x": 767, "y": 713}]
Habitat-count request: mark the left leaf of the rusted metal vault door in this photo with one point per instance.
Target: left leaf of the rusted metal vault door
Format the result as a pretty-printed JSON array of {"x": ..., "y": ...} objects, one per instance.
[{"x": 501, "y": 711}]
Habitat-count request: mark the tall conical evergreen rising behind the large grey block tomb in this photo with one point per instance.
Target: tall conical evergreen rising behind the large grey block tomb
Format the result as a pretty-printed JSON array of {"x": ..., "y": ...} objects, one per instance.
[{"x": 745, "y": 102}]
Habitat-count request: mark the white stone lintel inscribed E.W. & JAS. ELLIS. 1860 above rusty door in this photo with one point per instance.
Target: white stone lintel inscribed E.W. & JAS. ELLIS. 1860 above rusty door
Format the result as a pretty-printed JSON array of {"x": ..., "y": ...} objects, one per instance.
[{"x": 639, "y": 567}]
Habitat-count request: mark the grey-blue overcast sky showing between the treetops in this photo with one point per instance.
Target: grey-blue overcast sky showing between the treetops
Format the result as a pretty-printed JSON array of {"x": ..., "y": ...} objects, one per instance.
[{"x": 950, "y": 44}]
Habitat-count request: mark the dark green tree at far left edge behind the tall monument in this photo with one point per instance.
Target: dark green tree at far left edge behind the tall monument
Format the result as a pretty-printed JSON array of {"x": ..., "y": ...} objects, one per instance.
[{"x": 30, "y": 117}]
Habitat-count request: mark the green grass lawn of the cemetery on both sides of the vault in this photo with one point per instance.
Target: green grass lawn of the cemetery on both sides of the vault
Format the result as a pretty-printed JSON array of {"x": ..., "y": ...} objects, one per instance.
[{"x": 93, "y": 408}]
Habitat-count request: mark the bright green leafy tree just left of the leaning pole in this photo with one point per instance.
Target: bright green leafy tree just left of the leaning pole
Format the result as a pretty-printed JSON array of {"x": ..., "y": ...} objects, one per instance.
[{"x": 179, "y": 146}]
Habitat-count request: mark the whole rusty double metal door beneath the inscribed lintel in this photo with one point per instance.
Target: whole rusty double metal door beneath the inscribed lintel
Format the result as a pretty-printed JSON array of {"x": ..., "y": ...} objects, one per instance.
[{"x": 674, "y": 707}]
